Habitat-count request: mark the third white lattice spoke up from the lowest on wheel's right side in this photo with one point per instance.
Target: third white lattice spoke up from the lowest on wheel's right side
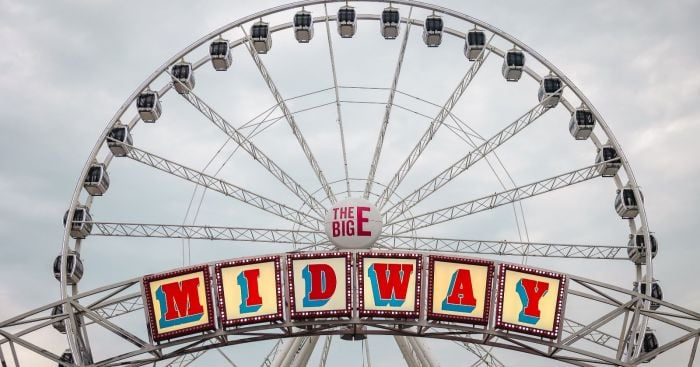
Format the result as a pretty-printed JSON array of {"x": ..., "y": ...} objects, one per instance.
[{"x": 466, "y": 162}]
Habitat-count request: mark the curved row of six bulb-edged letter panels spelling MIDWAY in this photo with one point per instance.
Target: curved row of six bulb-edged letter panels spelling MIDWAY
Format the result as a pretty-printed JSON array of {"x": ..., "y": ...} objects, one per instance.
[{"x": 354, "y": 285}]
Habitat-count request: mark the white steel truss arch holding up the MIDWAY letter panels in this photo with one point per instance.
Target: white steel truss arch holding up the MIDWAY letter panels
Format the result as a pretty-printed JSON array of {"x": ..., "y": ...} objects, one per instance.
[{"x": 570, "y": 349}]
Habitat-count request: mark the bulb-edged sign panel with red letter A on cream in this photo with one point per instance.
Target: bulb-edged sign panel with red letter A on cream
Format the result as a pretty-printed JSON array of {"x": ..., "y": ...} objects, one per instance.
[{"x": 459, "y": 289}]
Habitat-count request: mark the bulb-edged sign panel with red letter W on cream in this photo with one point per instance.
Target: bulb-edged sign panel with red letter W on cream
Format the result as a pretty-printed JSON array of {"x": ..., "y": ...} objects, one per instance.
[{"x": 389, "y": 284}]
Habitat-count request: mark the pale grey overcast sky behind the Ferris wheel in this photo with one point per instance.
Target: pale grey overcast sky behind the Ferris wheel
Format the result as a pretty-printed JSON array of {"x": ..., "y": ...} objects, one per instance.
[{"x": 66, "y": 68}]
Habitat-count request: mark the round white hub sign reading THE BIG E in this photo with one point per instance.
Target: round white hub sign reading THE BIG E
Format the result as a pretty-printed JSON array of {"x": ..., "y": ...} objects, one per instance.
[{"x": 353, "y": 223}]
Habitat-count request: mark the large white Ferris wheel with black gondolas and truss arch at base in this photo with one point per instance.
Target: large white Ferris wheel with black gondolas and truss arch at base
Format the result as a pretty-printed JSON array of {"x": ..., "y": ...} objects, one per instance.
[{"x": 459, "y": 140}]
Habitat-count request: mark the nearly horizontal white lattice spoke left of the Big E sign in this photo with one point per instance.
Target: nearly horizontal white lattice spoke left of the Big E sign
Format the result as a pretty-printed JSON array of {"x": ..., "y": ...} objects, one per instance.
[{"x": 196, "y": 232}]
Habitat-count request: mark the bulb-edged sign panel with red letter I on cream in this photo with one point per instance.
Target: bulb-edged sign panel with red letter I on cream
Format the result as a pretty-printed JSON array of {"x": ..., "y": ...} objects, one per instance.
[{"x": 249, "y": 290}]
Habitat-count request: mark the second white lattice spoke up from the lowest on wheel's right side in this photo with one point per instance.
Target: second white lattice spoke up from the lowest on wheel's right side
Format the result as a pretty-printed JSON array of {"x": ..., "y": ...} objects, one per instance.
[{"x": 492, "y": 201}]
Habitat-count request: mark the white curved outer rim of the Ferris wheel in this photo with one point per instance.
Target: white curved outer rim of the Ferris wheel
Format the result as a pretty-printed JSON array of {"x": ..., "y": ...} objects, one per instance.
[{"x": 65, "y": 249}]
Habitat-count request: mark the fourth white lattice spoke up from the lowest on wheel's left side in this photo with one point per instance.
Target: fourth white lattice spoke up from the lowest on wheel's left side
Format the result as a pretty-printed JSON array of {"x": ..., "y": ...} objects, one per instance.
[{"x": 290, "y": 119}]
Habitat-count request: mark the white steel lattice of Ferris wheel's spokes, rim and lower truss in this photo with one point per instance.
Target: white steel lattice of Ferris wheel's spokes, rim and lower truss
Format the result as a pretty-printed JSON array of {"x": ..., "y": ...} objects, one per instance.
[{"x": 582, "y": 343}]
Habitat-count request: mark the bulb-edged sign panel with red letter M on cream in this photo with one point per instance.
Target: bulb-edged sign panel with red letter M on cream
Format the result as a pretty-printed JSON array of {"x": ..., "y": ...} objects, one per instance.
[{"x": 179, "y": 302}]
